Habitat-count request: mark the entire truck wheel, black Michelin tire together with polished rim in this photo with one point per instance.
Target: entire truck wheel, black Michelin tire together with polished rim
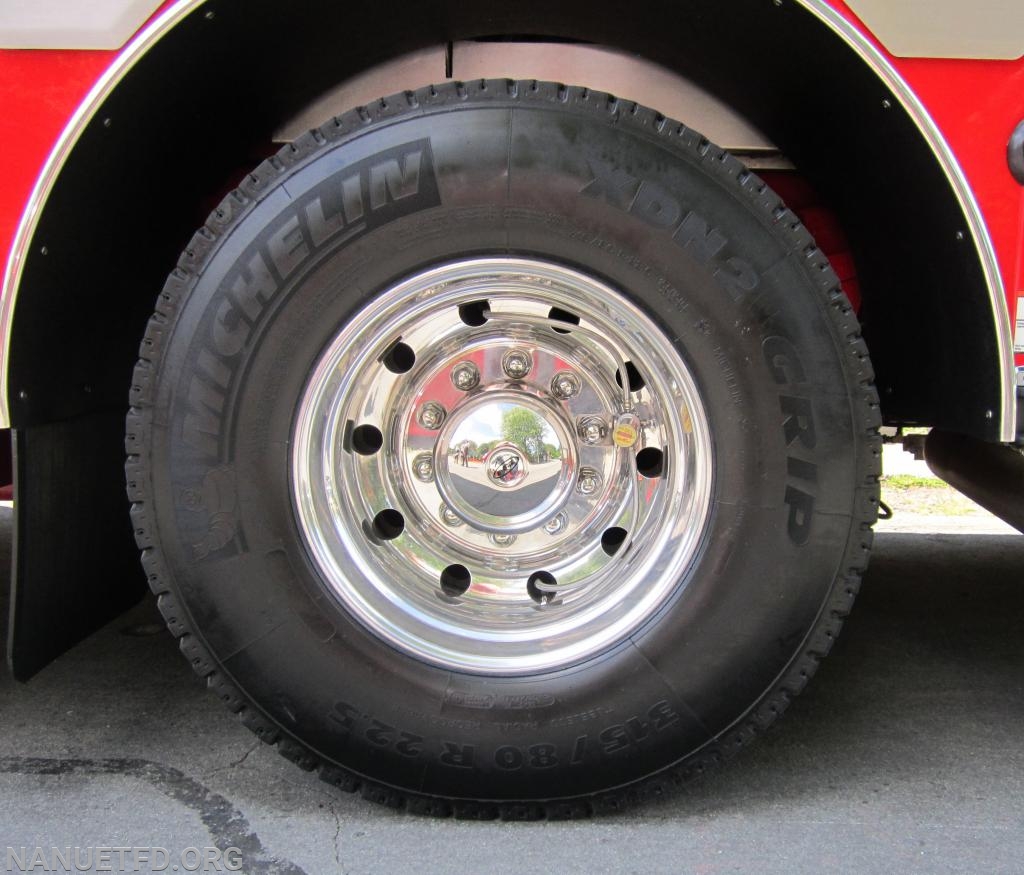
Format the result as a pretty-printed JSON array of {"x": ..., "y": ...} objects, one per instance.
[{"x": 311, "y": 527}]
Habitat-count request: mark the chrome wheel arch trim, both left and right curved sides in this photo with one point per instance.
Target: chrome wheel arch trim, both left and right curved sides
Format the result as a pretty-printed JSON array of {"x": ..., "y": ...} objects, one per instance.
[{"x": 833, "y": 20}]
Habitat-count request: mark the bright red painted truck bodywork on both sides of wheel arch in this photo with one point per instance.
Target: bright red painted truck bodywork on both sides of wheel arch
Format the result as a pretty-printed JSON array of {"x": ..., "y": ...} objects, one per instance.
[{"x": 976, "y": 105}]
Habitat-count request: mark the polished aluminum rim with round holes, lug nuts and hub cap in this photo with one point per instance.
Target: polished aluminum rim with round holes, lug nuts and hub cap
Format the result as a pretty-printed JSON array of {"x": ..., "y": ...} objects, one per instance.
[{"x": 502, "y": 467}]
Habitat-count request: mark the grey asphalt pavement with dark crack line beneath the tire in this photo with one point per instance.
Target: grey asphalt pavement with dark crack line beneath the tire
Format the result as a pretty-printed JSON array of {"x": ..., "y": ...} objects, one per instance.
[{"x": 906, "y": 755}]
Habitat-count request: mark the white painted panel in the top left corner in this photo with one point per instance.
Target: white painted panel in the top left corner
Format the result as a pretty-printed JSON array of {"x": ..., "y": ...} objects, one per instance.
[{"x": 72, "y": 24}]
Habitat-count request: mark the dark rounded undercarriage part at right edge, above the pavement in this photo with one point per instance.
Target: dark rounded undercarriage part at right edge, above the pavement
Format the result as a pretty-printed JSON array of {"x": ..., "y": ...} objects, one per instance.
[{"x": 992, "y": 475}]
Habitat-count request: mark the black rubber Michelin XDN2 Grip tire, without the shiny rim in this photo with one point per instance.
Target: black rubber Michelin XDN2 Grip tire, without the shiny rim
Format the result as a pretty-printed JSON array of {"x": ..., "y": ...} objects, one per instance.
[{"x": 578, "y": 178}]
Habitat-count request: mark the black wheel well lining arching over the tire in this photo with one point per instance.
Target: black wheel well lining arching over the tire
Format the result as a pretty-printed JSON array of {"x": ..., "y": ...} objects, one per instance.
[{"x": 189, "y": 115}]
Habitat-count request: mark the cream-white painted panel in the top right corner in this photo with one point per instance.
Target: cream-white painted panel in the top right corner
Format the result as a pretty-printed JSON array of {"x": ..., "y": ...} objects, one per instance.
[{"x": 979, "y": 29}]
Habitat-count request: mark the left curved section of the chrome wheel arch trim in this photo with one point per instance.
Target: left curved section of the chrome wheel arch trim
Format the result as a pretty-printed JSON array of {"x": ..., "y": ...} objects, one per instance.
[{"x": 45, "y": 186}]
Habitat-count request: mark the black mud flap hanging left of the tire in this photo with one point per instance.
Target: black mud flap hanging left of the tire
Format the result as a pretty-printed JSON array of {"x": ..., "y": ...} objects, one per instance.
[{"x": 75, "y": 562}]
